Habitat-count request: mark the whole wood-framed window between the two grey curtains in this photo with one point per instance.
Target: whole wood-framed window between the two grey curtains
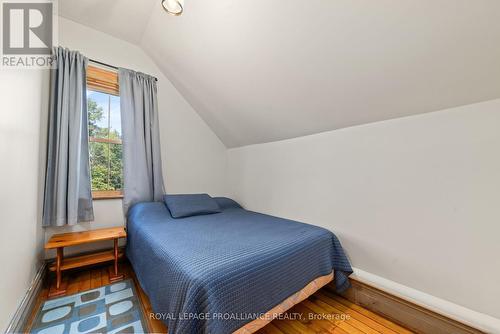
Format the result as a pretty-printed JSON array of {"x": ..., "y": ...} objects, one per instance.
[{"x": 105, "y": 135}]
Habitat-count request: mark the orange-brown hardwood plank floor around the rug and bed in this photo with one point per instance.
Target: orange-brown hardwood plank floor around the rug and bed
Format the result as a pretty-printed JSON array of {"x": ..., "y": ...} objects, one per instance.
[{"x": 323, "y": 312}]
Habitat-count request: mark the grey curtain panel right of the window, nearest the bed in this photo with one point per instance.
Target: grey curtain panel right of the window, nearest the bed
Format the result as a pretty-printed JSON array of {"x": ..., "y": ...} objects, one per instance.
[{"x": 142, "y": 171}]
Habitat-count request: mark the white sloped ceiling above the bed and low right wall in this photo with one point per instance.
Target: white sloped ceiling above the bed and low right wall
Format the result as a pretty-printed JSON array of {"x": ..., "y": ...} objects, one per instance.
[{"x": 260, "y": 70}]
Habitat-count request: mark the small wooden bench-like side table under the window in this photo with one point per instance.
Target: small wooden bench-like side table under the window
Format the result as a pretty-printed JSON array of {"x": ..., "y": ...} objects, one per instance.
[{"x": 59, "y": 241}]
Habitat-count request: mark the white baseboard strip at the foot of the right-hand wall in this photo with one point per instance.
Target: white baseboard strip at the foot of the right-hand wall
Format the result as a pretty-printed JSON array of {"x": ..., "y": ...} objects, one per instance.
[{"x": 456, "y": 312}]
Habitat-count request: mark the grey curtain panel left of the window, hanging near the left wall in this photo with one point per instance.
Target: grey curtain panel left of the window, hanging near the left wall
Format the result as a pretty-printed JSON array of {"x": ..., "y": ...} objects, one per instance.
[{"x": 68, "y": 197}]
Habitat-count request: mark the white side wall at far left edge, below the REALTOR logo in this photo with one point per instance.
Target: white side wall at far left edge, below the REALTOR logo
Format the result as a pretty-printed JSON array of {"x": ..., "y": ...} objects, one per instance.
[{"x": 23, "y": 93}]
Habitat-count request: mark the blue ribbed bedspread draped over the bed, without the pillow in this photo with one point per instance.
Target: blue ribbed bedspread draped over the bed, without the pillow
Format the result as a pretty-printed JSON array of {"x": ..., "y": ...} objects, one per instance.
[{"x": 215, "y": 273}]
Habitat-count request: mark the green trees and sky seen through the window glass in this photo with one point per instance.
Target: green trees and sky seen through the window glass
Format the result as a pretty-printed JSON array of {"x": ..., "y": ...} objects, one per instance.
[{"x": 105, "y": 141}]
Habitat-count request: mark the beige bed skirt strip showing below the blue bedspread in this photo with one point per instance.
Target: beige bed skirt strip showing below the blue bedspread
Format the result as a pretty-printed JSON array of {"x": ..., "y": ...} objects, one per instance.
[{"x": 287, "y": 304}]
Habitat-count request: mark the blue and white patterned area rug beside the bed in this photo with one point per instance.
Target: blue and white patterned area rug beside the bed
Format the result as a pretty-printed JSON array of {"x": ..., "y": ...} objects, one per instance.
[{"x": 110, "y": 309}]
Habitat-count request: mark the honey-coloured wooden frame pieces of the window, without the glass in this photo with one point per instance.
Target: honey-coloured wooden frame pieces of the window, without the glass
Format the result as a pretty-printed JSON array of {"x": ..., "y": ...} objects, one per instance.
[{"x": 104, "y": 81}]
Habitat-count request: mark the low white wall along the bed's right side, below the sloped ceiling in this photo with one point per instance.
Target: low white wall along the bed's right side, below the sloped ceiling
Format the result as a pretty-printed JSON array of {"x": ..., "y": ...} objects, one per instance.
[{"x": 415, "y": 200}]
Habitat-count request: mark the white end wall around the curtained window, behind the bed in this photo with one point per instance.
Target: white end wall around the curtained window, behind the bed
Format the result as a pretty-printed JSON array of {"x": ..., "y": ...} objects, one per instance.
[{"x": 194, "y": 159}]
